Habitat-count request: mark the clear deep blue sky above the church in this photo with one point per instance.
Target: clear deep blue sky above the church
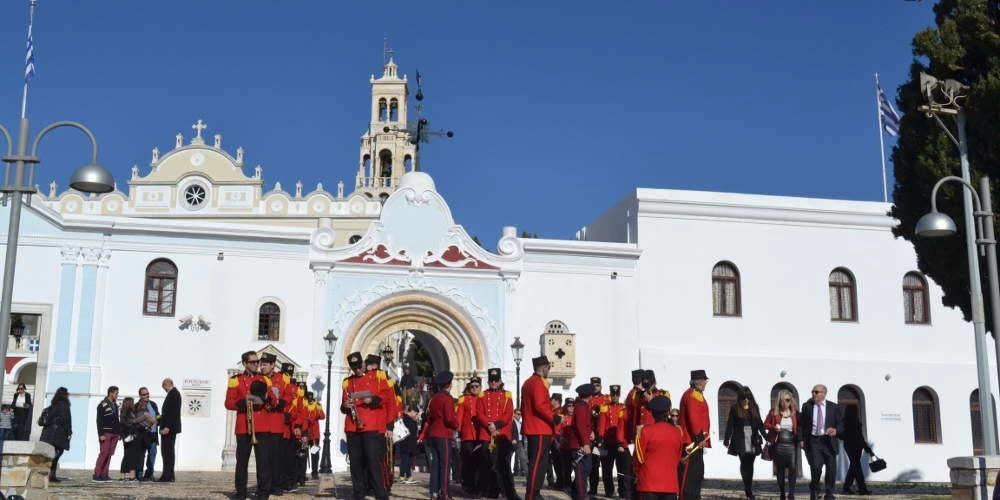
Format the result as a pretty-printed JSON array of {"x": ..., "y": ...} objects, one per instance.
[{"x": 559, "y": 108}]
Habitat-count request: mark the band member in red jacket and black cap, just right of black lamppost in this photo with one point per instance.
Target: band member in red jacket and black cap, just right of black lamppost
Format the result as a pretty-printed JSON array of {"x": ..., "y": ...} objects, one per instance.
[{"x": 365, "y": 427}]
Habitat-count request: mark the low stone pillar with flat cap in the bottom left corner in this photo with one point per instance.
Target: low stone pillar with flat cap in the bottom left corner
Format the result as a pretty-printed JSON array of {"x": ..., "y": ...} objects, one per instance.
[{"x": 26, "y": 468}]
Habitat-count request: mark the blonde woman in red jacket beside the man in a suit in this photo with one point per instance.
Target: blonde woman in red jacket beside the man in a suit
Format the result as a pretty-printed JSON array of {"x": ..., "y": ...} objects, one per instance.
[{"x": 782, "y": 431}]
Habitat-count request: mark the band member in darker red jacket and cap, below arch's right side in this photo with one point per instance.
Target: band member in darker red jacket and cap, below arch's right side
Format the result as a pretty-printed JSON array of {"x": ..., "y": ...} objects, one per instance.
[{"x": 441, "y": 426}]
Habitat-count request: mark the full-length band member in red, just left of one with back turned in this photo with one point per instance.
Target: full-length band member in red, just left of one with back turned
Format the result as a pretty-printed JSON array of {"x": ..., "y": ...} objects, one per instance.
[{"x": 611, "y": 432}]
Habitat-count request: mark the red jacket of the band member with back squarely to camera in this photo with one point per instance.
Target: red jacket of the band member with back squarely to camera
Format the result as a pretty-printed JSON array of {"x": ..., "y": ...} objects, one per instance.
[{"x": 658, "y": 451}]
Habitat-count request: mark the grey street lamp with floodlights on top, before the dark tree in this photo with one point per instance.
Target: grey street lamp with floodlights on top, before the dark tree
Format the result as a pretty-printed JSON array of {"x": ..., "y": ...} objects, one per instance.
[{"x": 936, "y": 224}]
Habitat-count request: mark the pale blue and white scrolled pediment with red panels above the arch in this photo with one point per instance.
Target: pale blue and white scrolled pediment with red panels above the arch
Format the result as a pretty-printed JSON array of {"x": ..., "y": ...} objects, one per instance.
[{"x": 416, "y": 230}]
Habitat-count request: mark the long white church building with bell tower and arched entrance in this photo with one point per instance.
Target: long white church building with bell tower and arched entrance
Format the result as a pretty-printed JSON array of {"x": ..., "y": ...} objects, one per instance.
[{"x": 199, "y": 258}]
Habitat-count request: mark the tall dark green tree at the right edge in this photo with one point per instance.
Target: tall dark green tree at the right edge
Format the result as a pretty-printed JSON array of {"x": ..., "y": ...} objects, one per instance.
[{"x": 965, "y": 46}]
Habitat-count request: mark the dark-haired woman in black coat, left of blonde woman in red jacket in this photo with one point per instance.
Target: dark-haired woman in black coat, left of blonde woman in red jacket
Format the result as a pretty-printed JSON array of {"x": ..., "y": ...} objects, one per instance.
[{"x": 745, "y": 435}]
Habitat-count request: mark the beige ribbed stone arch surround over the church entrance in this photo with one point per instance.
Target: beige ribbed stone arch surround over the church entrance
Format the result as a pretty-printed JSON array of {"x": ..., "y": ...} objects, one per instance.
[{"x": 457, "y": 341}]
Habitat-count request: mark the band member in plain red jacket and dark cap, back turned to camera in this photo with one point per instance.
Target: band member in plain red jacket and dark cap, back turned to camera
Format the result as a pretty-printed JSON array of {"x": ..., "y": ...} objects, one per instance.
[{"x": 658, "y": 449}]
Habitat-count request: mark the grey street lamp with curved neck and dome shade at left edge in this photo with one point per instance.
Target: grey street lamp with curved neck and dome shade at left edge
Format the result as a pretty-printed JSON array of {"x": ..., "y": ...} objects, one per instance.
[{"x": 90, "y": 178}]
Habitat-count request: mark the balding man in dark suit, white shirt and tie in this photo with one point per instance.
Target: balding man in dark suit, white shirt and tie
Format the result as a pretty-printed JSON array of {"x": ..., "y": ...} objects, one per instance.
[{"x": 820, "y": 423}]
